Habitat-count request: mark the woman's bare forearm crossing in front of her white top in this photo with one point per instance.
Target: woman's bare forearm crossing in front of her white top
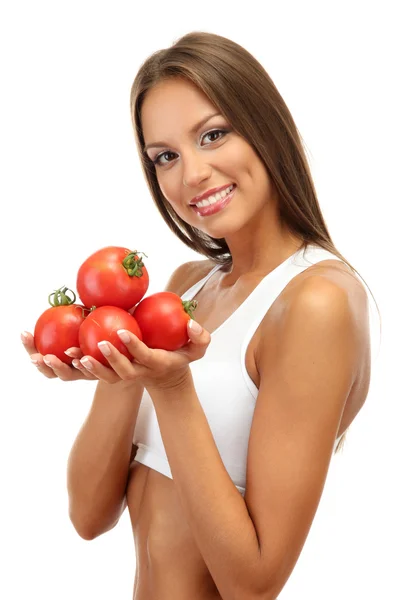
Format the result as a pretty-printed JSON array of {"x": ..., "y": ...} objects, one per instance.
[{"x": 215, "y": 510}]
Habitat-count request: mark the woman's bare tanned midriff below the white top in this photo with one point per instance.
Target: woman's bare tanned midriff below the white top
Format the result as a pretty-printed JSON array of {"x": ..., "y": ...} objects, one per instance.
[{"x": 169, "y": 565}]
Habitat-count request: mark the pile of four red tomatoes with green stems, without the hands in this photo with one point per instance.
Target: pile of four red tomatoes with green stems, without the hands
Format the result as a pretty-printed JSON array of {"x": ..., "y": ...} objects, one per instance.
[{"x": 111, "y": 285}]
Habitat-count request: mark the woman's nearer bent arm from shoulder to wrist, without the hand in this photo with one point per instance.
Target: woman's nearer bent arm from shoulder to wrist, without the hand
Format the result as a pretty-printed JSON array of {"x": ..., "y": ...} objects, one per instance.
[{"x": 251, "y": 544}]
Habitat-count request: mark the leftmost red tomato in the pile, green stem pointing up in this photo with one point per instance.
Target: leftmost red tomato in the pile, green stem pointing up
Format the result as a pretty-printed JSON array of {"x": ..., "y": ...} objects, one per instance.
[{"x": 58, "y": 327}]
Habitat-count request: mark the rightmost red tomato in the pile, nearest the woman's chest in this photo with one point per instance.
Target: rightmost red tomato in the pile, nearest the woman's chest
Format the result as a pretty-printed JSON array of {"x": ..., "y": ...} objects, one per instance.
[{"x": 162, "y": 318}]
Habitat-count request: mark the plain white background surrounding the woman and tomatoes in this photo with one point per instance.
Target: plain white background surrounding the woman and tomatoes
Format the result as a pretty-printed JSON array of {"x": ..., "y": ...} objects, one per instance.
[{"x": 71, "y": 183}]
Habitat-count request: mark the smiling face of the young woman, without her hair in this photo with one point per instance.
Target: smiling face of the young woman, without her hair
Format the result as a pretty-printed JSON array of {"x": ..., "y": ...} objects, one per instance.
[{"x": 195, "y": 150}]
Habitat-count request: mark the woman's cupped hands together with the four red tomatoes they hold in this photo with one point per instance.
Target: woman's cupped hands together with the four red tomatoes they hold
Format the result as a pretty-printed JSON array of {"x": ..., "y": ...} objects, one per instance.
[{"x": 117, "y": 335}]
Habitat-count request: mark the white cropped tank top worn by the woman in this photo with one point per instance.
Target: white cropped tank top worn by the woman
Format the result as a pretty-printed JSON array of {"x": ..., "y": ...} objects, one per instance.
[{"x": 224, "y": 388}]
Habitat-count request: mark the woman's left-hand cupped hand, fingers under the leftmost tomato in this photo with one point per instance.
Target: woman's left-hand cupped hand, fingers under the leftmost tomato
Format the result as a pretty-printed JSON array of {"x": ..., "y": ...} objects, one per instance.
[{"x": 53, "y": 367}]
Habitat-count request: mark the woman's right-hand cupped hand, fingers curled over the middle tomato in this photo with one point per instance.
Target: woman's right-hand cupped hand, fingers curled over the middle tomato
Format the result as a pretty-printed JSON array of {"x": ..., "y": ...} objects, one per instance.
[{"x": 153, "y": 368}]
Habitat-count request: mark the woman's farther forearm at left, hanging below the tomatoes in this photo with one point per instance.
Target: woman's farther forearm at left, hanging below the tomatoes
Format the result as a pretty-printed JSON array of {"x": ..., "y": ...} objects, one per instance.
[{"x": 98, "y": 464}]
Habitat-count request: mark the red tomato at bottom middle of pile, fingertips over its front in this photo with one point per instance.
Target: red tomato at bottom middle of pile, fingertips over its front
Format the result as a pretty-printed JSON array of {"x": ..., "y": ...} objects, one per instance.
[{"x": 103, "y": 324}]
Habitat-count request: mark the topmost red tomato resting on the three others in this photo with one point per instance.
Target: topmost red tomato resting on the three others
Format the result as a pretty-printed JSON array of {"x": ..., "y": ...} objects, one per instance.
[{"x": 112, "y": 276}]
